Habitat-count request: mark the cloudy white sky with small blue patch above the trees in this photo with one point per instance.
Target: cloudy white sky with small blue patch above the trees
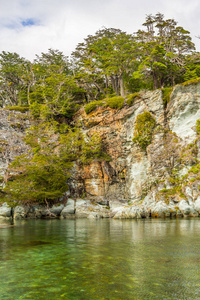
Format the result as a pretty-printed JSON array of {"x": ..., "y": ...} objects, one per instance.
[{"x": 31, "y": 27}]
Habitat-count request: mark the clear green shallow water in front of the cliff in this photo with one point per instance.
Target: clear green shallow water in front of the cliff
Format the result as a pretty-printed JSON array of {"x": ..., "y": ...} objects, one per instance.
[{"x": 100, "y": 259}]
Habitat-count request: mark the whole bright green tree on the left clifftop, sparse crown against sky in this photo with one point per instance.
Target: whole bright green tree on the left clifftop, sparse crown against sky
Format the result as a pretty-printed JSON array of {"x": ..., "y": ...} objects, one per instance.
[{"x": 54, "y": 91}]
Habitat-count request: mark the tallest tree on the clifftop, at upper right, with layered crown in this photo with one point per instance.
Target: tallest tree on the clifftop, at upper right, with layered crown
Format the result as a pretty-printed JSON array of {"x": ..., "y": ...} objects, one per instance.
[{"x": 162, "y": 49}]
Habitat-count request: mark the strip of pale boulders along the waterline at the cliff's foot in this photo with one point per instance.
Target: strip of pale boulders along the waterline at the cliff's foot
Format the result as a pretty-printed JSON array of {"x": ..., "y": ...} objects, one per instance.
[{"x": 84, "y": 208}]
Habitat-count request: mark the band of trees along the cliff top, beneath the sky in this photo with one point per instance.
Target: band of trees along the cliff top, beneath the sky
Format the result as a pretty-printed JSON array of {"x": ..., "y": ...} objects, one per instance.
[{"x": 108, "y": 63}]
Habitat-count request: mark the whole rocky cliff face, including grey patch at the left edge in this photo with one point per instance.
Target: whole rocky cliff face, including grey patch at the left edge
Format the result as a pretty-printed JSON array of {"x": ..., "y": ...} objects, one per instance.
[{"x": 161, "y": 181}]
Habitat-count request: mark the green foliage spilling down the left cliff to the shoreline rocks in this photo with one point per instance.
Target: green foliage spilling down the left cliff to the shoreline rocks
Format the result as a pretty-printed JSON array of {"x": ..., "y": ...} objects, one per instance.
[{"x": 41, "y": 176}]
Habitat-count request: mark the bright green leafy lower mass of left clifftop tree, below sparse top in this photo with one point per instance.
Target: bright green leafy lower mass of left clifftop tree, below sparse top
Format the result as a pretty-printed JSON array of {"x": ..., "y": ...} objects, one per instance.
[{"x": 52, "y": 94}]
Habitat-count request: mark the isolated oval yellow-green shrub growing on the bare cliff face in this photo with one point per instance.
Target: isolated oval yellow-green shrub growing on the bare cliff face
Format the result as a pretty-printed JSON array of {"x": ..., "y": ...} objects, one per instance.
[{"x": 144, "y": 126}]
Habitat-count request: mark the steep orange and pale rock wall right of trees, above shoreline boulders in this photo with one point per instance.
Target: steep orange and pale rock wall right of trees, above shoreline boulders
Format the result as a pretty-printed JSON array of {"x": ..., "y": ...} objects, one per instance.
[{"x": 139, "y": 177}]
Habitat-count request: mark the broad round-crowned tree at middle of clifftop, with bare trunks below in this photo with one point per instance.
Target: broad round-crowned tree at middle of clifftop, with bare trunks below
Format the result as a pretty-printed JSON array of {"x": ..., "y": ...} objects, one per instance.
[{"x": 106, "y": 58}]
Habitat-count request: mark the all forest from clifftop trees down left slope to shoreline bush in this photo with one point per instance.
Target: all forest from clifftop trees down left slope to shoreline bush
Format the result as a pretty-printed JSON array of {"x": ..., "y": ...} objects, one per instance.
[{"x": 109, "y": 68}]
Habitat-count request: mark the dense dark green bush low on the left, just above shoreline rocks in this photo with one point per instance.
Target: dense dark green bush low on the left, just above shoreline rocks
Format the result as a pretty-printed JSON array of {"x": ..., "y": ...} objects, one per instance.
[{"x": 42, "y": 178}]
